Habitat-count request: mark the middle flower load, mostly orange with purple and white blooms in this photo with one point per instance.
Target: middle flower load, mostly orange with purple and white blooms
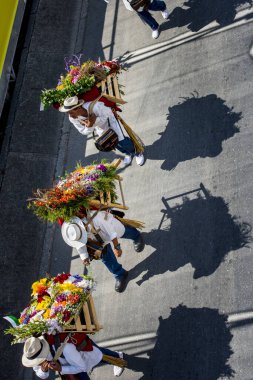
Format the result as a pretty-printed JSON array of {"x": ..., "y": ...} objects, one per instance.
[{"x": 74, "y": 192}]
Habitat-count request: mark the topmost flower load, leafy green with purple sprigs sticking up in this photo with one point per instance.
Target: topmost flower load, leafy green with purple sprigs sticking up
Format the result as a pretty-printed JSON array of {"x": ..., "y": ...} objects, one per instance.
[{"x": 80, "y": 79}]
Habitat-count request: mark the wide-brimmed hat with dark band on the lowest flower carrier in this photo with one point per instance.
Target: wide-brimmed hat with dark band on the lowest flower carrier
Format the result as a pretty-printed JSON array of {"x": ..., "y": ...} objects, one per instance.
[{"x": 35, "y": 351}]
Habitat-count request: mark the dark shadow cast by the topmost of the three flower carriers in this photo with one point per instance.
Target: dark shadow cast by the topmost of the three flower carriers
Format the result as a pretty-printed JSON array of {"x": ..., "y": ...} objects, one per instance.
[{"x": 196, "y": 128}]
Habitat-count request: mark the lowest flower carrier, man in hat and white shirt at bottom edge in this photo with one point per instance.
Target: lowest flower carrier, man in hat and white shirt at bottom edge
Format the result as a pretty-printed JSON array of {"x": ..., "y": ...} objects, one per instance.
[{"x": 77, "y": 356}]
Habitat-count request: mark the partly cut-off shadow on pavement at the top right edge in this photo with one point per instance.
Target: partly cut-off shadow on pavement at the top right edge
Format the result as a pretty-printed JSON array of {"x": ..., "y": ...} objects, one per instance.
[{"x": 199, "y": 13}]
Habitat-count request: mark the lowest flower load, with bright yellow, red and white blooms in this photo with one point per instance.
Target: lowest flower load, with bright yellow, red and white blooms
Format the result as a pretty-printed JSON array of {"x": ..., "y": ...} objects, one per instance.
[{"x": 55, "y": 301}]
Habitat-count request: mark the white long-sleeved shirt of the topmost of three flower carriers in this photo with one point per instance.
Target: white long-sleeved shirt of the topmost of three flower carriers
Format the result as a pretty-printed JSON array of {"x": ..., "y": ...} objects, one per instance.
[{"x": 101, "y": 124}]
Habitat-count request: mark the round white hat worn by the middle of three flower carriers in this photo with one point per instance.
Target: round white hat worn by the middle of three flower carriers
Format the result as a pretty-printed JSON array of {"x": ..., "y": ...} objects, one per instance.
[{"x": 74, "y": 233}]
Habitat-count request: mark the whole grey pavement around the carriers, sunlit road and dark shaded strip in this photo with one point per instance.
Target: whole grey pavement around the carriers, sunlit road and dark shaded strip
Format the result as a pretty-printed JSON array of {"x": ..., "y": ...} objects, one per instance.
[{"x": 192, "y": 106}]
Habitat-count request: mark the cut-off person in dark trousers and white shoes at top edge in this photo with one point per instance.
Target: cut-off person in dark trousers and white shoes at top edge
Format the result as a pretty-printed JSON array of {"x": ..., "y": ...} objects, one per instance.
[{"x": 143, "y": 8}]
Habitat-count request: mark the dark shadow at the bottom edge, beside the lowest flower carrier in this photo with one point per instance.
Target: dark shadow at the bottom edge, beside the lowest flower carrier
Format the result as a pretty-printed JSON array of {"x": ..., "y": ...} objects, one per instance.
[{"x": 192, "y": 344}]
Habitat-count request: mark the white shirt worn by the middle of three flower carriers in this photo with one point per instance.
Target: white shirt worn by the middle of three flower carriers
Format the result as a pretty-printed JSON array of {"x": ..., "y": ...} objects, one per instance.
[{"x": 108, "y": 228}]
